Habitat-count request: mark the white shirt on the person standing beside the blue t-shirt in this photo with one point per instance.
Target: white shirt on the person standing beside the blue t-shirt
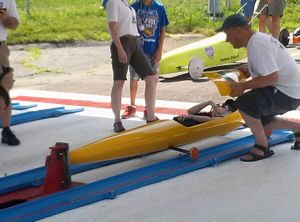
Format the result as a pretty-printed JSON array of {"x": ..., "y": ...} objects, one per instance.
[{"x": 121, "y": 12}]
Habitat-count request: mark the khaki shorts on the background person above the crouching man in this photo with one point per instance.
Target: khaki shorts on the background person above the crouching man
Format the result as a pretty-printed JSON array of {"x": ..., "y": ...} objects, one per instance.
[{"x": 275, "y": 8}]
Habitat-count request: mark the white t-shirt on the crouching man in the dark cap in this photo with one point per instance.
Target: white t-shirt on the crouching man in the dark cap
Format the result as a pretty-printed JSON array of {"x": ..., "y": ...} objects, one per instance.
[{"x": 267, "y": 55}]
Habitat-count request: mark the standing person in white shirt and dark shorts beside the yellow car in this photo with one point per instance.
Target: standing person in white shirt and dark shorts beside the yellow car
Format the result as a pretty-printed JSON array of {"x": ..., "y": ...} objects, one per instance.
[{"x": 126, "y": 50}]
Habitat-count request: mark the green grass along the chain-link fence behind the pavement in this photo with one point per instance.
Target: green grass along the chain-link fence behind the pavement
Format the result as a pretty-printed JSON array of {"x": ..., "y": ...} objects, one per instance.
[{"x": 82, "y": 20}]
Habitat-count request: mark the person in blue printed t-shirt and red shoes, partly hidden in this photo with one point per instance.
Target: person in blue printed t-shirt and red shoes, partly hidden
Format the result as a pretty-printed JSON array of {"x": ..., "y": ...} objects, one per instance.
[{"x": 152, "y": 21}]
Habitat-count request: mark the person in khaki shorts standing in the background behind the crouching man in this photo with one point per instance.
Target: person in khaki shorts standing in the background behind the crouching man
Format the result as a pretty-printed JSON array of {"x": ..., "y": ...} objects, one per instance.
[{"x": 274, "y": 11}]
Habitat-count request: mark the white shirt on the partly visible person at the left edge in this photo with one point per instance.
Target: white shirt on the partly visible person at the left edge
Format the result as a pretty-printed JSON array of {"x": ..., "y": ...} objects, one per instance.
[{"x": 11, "y": 8}]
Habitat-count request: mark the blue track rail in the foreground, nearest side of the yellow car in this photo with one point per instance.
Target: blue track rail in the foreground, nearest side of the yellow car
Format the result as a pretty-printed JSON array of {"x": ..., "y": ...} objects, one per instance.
[{"x": 110, "y": 188}]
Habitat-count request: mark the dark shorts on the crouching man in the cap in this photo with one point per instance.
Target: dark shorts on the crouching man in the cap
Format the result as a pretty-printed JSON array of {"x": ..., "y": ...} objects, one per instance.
[{"x": 266, "y": 103}]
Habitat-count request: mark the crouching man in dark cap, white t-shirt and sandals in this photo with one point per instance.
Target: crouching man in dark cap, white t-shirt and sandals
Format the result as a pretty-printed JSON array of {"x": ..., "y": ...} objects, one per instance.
[{"x": 274, "y": 86}]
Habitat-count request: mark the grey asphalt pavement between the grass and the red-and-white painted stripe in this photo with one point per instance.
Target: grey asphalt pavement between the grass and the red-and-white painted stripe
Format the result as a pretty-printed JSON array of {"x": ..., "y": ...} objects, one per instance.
[{"x": 87, "y": 69}]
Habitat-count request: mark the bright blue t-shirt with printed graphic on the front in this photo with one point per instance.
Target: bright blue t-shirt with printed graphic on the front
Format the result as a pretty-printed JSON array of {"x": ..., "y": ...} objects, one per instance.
[{"x": 150, "y": 21}]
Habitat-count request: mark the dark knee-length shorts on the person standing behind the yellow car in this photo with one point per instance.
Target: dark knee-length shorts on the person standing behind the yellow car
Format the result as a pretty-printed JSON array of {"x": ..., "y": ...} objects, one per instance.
[{"x": 136, "y": 57}]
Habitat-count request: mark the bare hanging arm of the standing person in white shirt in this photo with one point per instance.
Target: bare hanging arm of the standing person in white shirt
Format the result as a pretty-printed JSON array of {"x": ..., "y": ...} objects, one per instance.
[{"x": 113, "y": 26}]
